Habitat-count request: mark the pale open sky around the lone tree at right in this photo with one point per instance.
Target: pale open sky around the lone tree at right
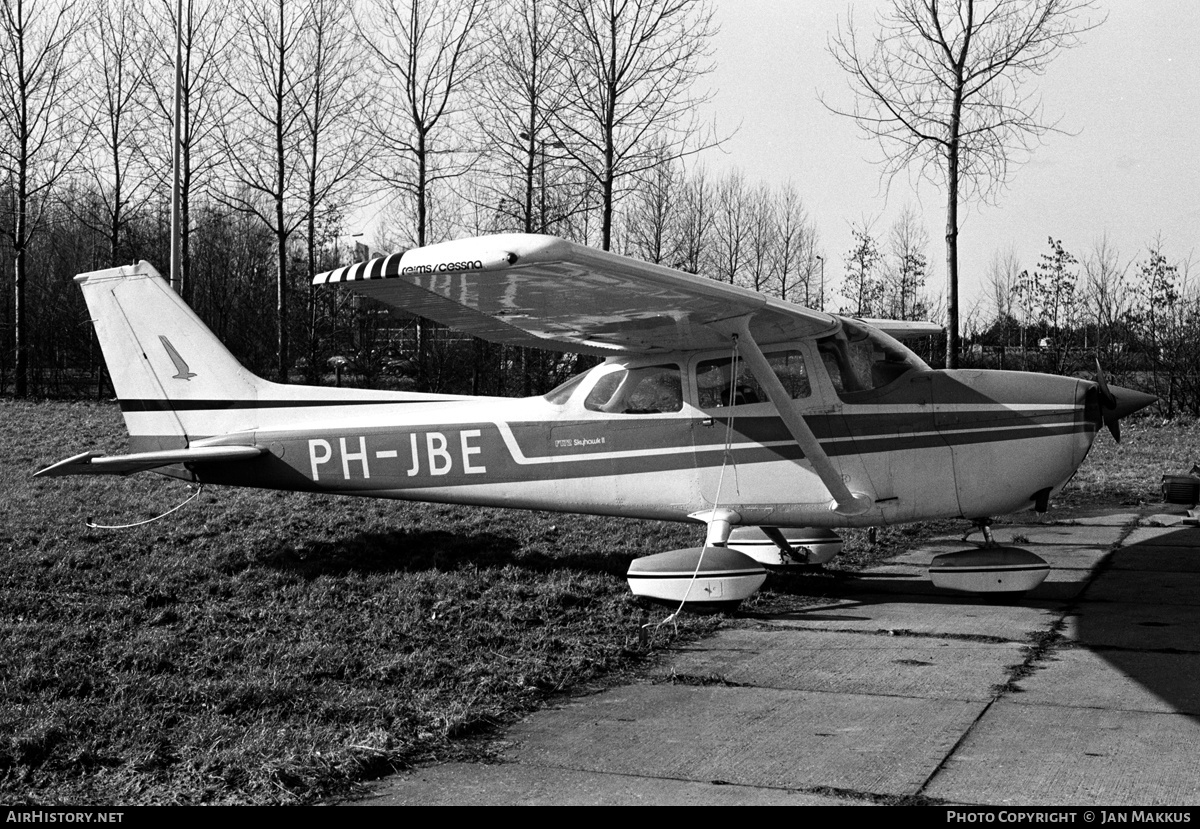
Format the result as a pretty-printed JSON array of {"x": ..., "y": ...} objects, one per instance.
[{"x": 1131, "y": 95}]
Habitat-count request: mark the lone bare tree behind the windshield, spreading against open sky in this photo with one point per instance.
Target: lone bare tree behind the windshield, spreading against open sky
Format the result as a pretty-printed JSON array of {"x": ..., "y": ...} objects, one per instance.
[{"x": 944, "y": 89}]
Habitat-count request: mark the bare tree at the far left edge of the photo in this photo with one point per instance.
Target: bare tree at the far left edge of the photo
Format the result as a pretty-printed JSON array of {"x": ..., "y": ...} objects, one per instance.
[{"x": 40, "y": 130}]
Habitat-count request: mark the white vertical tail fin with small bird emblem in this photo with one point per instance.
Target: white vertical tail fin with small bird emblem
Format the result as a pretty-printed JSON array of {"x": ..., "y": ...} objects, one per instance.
[{"x": 169, "y": 369}]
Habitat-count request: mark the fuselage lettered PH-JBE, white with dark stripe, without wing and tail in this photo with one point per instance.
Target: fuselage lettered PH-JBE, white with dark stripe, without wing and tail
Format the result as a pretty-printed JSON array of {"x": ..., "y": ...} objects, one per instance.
[{"x": 679, "y": 435}]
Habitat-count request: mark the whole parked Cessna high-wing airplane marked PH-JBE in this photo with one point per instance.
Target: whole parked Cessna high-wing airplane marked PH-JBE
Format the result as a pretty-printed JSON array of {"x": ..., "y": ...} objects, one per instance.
[{"x": 715, "y": 405}]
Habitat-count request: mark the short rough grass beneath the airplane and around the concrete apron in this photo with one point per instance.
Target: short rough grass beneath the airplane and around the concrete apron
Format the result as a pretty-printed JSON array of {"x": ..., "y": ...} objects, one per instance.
[{"x": 271, "y": 648}]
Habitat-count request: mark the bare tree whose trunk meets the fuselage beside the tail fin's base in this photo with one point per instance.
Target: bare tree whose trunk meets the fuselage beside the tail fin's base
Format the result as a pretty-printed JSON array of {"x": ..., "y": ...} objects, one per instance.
[{"x": 266, "y": 142}]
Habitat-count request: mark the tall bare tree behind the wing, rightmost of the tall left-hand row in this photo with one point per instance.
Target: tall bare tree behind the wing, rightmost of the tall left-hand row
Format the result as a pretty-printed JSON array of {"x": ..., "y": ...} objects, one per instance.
[{"x": 632, "y": 67}]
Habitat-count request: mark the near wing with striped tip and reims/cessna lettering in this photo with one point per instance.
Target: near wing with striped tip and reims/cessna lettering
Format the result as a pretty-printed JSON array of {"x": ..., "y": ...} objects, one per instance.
[{"x": 544, "y": 292}]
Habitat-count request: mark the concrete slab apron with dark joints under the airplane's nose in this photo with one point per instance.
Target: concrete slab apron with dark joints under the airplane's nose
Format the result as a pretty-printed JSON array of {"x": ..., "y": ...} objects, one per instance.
[{"x": 1084, "y": 693}]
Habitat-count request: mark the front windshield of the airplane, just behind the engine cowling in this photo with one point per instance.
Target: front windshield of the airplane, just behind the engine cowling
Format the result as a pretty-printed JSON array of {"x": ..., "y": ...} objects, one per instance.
[{"x": 860, "y": 361}]
